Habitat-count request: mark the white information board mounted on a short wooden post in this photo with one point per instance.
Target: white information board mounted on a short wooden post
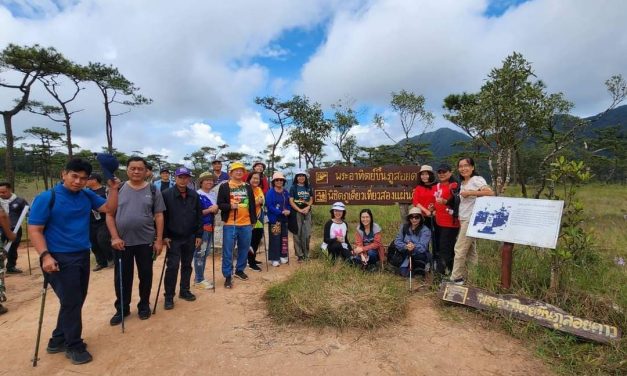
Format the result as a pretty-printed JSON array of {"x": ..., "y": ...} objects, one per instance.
[{"x": 516, "y": 220}]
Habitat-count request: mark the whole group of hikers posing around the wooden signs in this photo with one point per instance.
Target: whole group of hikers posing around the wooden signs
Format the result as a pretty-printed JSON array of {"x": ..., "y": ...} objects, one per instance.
[{"x": 128, "y": 224}]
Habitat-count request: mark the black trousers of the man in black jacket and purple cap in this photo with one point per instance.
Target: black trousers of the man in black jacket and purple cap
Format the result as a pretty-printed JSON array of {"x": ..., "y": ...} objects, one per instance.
[{"x": 181, "y": 253}]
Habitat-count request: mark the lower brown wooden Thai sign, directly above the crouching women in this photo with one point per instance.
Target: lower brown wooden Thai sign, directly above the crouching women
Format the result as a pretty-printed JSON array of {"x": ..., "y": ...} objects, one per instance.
[{"x": 362, "y": 195}]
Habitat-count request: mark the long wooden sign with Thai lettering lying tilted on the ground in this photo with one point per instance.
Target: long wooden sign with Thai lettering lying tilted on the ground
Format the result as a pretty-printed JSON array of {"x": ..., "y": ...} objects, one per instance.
[{"x": 526, "y": 309}]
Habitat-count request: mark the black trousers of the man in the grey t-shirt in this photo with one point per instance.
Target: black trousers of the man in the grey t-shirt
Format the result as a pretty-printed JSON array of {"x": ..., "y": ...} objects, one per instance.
[{"x": 142, "y": 255}]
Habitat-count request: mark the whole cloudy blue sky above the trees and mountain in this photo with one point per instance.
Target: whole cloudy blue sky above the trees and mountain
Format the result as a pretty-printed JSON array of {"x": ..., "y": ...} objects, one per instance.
[{"x": 204, "y": 62}]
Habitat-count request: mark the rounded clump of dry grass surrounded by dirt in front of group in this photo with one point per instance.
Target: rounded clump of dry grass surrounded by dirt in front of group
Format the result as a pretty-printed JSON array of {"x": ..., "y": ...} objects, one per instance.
[{"x": 324, "y": 294}]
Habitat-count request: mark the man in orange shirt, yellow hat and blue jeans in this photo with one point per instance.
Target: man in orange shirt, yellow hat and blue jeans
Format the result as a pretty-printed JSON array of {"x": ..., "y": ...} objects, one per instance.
[{"x": 237, "y": 206}]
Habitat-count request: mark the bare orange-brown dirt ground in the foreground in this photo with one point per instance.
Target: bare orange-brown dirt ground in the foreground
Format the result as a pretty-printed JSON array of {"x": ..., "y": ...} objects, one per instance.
[{"x": 229, "y": 333}]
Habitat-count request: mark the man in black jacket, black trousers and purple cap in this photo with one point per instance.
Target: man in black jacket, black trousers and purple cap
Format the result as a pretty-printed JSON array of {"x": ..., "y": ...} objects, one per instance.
[{"x": 182, "y": 234}]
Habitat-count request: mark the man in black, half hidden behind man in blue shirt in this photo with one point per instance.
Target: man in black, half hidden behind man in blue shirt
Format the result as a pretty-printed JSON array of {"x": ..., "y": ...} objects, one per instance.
[{"x": 98, "y": 232}]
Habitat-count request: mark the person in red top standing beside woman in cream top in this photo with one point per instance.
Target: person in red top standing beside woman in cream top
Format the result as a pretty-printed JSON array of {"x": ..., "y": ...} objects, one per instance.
[{"x": 447, "y": 223}]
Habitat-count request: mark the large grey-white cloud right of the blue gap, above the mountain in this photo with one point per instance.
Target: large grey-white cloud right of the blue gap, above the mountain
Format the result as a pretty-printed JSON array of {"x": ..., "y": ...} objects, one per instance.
[{"x": 440, "y": 47}]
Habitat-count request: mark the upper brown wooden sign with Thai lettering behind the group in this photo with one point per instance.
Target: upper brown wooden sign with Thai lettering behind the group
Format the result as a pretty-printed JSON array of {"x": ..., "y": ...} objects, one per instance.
[{"x": 365, "y": 176}]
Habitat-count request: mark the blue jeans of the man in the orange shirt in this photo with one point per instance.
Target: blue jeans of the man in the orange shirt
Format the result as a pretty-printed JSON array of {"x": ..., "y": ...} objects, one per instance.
[{"x": 231, "y": 235}]
